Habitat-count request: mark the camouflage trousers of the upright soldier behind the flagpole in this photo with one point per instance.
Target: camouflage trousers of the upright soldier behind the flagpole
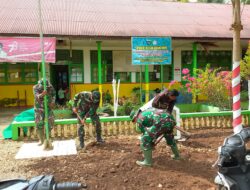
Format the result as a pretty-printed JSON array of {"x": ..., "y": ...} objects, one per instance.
[{"x": 40, "y": 117}]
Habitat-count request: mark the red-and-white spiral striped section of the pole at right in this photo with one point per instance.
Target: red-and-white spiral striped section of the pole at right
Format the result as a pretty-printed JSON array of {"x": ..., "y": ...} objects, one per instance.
[{"x": 237, "y": 118}]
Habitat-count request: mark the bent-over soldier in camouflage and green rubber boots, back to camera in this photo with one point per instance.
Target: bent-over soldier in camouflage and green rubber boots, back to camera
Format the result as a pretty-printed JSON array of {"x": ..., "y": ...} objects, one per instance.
[{"x": 153, "y": 123}]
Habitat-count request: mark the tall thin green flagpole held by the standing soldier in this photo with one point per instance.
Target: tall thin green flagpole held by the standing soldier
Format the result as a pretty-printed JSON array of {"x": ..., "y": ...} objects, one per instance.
[{"x": 43, "y": 70}]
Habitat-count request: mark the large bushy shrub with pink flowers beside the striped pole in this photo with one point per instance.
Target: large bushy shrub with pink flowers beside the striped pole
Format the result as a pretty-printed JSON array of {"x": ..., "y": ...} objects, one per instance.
[{"x": 213, "y": 83}]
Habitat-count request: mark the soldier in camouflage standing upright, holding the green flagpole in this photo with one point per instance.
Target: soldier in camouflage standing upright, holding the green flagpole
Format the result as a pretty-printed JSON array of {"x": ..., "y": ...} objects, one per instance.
[{"x": 39, "y": 94}]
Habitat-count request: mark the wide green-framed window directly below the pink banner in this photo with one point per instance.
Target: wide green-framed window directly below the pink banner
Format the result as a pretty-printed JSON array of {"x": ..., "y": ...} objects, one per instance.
[{"x": 26, "y": 73}]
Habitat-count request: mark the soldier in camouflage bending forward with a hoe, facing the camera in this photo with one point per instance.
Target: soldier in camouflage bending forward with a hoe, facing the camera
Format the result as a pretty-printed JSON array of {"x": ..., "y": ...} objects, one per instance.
[{"x": 85, "y": 105}]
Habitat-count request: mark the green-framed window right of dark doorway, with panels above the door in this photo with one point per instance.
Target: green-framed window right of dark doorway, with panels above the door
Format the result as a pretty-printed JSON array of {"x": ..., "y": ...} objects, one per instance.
[{"x": 75, "y": 63}]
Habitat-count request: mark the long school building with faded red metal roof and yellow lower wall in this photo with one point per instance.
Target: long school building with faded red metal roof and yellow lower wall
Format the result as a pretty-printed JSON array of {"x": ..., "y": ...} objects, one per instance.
[{"x": 85, "y": 29}]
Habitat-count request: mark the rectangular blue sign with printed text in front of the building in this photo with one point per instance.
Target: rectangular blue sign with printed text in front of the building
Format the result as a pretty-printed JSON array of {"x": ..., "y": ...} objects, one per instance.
[{"x": 151, "y": 50}]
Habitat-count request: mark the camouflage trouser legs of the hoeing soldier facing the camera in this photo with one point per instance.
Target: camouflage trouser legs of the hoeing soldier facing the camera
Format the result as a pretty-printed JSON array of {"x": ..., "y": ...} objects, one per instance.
[{"x": 95, "y": 121}]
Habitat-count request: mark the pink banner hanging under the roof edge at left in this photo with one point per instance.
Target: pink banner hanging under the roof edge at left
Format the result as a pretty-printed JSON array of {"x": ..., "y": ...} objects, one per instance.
[{"x": 26, "y": 49}]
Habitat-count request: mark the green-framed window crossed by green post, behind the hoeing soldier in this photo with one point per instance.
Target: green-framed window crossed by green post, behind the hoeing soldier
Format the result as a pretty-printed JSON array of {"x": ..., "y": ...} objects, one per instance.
[{"x": 107, "y": 66}]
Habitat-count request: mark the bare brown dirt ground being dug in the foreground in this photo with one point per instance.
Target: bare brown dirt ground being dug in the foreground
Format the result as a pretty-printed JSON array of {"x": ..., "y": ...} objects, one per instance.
[{"x": 112, "y": 165}]
